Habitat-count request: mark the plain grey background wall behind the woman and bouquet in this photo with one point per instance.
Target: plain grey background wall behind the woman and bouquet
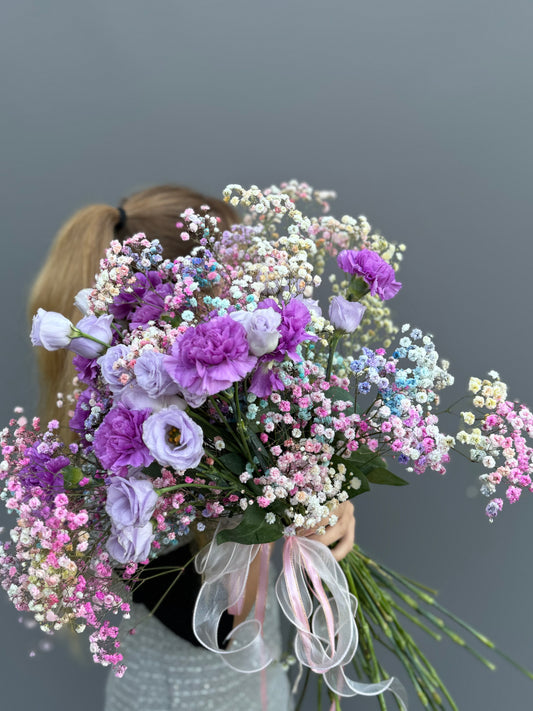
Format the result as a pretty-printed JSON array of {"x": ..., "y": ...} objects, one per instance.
[{"x": 418, "y": 113}]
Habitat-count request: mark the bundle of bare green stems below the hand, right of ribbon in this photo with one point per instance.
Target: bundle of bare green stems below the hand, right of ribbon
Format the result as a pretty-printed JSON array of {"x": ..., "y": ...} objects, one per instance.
[{"x": 385, "y": 600}]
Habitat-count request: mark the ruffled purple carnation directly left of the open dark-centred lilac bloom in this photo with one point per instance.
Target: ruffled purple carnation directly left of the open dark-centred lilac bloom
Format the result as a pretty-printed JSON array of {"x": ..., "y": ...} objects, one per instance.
[{"x": 118, "y": 442}]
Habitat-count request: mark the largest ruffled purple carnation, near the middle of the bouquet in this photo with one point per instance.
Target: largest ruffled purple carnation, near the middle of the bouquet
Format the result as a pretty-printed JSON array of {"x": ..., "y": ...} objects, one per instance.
[{"x": 210, "y": 357}]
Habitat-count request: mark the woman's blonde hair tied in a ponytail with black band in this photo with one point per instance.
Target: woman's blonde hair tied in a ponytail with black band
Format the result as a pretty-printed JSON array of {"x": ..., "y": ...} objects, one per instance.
[{"x": 74, "y": 257}]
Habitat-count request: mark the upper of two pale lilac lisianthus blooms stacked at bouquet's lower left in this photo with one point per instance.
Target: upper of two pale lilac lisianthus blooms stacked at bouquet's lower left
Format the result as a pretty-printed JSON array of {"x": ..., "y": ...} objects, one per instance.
[{"x": 131, "y": 501}]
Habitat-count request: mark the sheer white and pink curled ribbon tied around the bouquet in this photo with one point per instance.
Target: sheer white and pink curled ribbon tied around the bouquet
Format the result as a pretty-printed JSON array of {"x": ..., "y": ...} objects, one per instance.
[{"x": 326, "y": 637}]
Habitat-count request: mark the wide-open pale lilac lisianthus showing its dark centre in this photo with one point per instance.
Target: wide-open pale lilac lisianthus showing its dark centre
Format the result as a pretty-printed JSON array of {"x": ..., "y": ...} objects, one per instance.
[{"x": 174, "y": 439}]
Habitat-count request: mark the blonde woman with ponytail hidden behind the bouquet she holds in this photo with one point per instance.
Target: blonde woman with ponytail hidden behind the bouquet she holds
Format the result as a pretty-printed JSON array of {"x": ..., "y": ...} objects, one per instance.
[{"x": 167, "y": 666}]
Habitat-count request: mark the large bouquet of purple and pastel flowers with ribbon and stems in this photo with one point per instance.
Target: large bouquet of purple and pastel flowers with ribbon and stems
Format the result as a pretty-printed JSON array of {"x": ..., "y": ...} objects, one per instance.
[{"x": 212, "y": 391}]
